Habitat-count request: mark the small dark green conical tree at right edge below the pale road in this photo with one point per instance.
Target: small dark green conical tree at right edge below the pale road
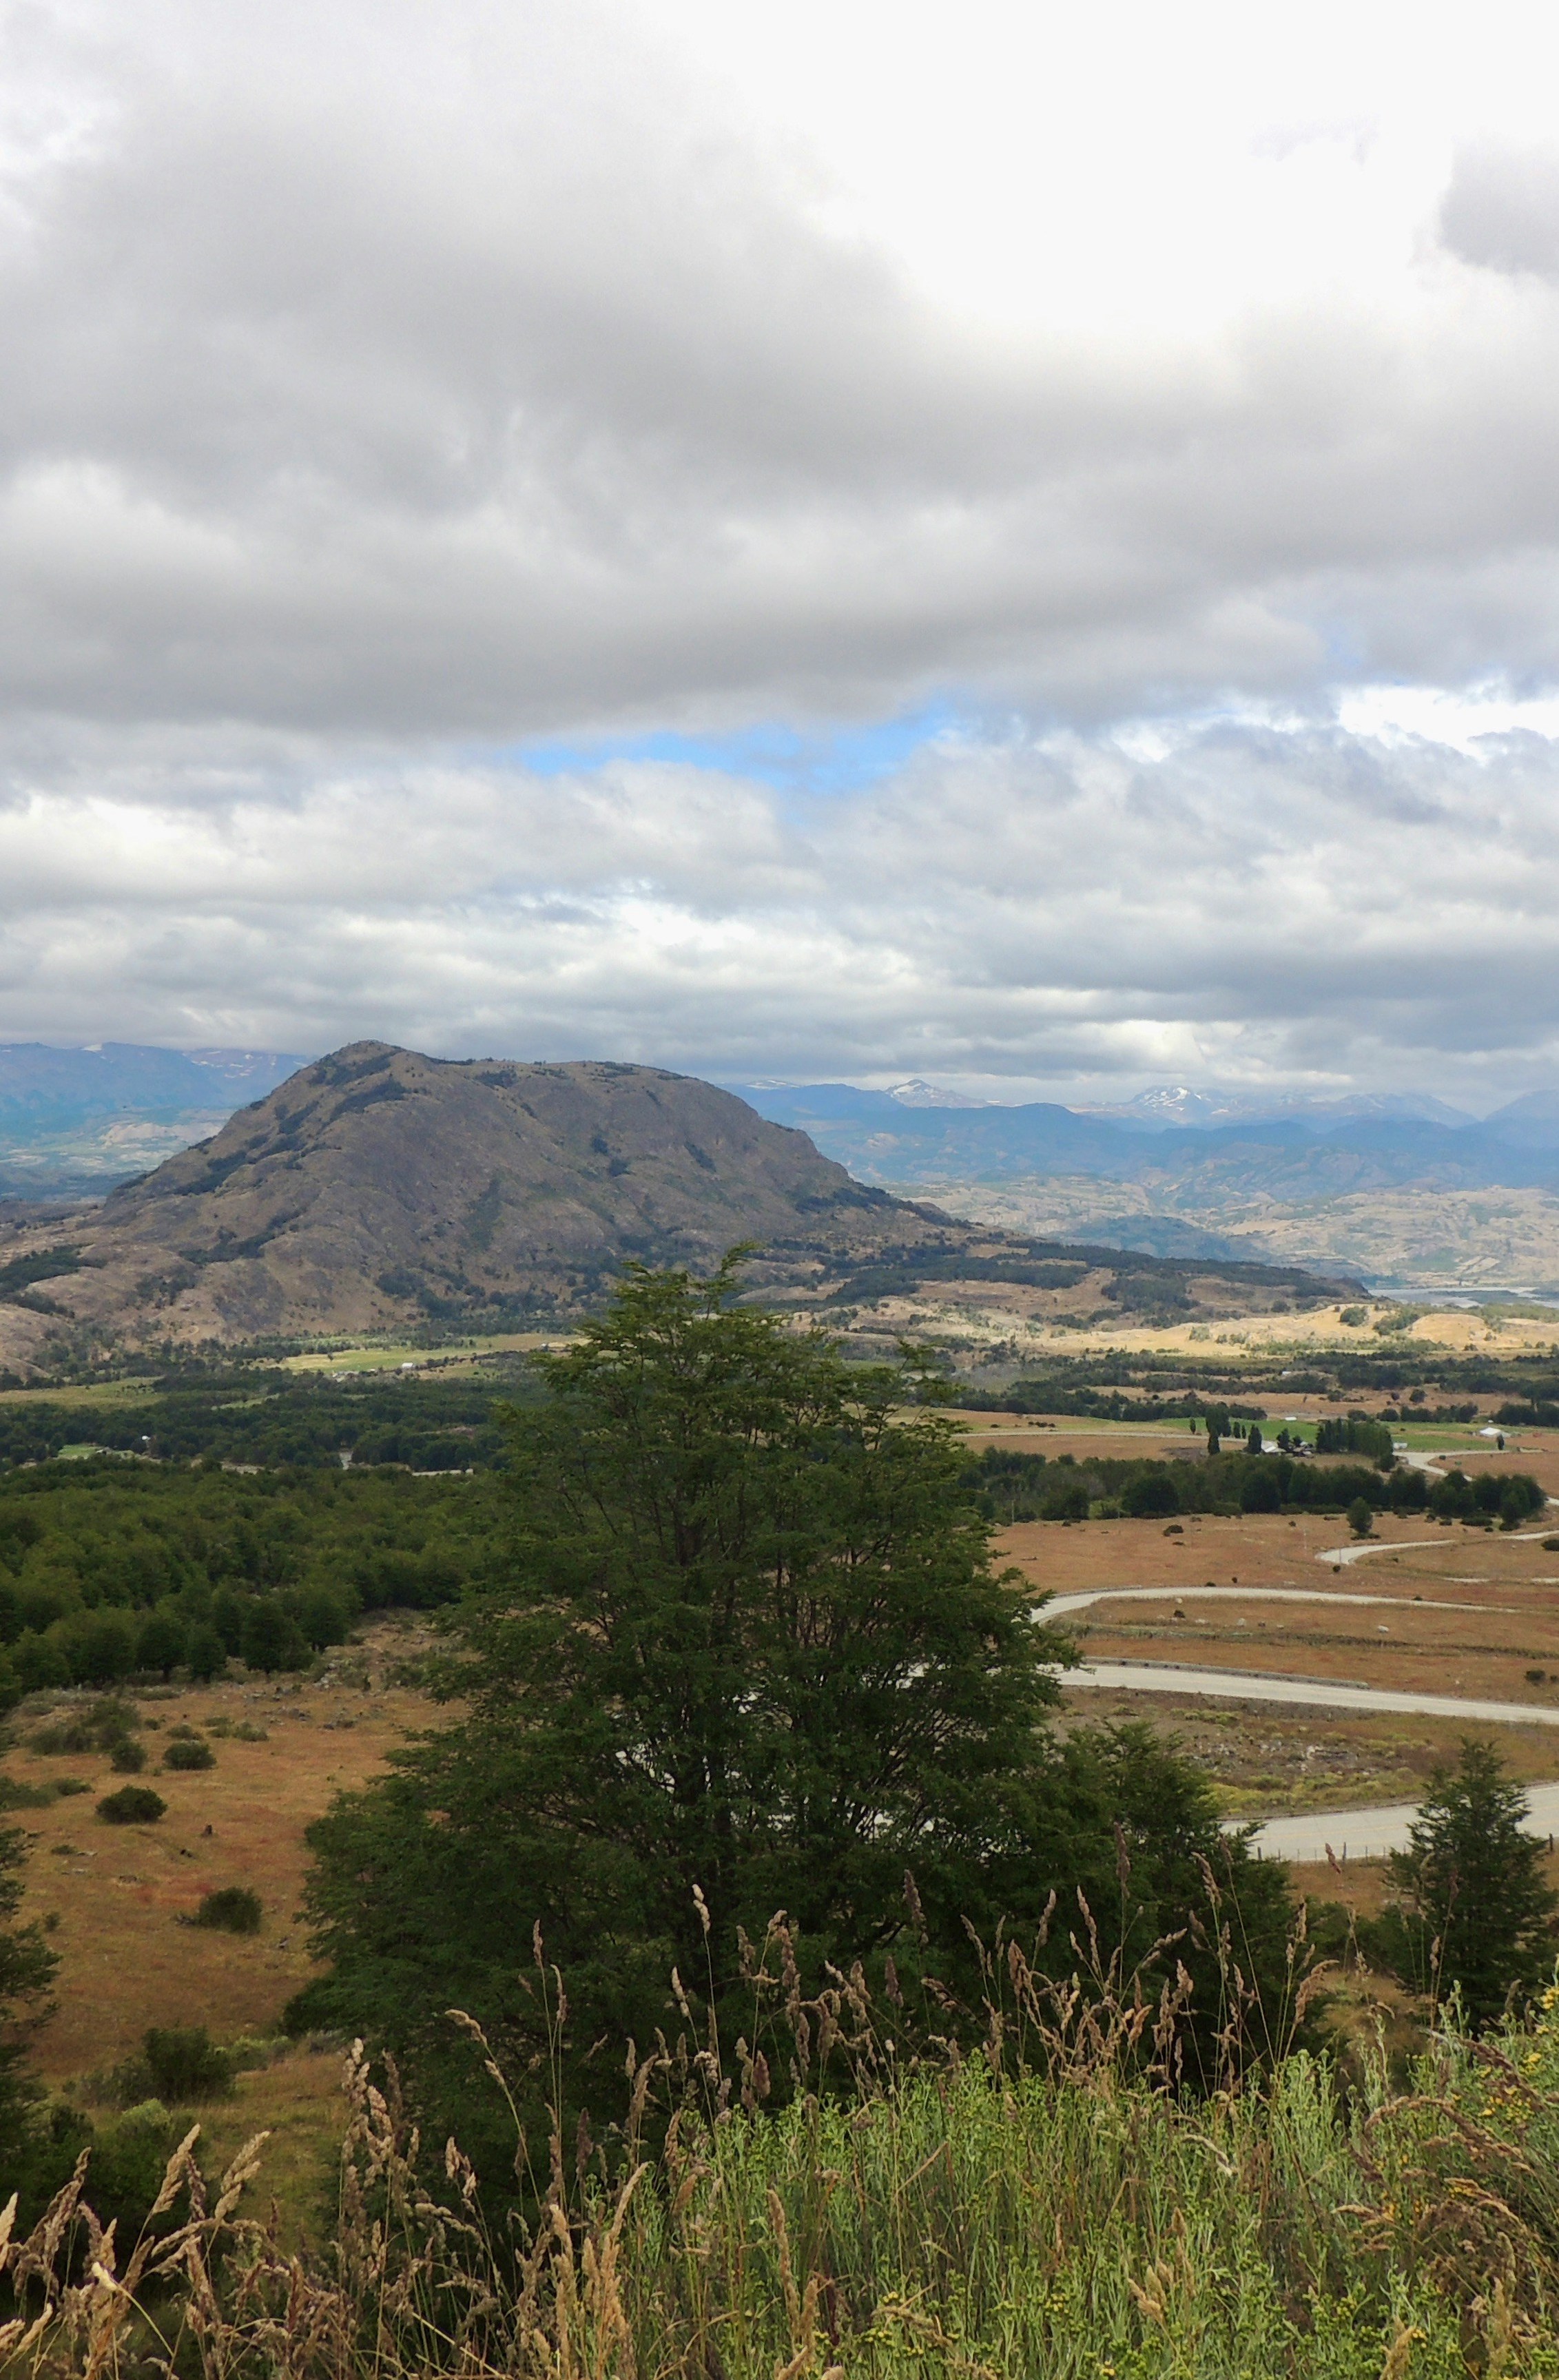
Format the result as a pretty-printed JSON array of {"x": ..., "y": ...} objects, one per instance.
[{"x": 1475, "y": 1908}]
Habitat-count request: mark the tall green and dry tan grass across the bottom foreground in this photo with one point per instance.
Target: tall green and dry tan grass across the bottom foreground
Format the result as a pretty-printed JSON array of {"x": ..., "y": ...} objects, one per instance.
[{"x": 1048, "y": 2207}]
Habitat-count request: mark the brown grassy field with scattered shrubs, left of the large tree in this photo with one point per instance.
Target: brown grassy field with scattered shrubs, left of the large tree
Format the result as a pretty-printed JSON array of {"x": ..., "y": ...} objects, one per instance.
[{"x": 118, "y": 1891}]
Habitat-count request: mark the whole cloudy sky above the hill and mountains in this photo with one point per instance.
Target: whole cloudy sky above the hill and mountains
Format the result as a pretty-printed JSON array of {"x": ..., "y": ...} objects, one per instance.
[{"x": 1006, "y": 544}]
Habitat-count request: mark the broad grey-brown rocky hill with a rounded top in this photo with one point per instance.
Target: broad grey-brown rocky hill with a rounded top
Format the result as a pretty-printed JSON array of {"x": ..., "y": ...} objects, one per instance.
[{"x": 384, "y": 1191}]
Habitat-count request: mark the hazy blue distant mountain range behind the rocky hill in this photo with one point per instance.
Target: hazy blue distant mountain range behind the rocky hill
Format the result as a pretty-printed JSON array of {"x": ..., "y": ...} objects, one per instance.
[{"x": 1175, "y": 1172}]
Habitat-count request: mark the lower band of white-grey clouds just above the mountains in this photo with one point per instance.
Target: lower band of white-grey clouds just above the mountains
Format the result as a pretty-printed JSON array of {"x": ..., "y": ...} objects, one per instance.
[{"x": 1232, "y": 898}]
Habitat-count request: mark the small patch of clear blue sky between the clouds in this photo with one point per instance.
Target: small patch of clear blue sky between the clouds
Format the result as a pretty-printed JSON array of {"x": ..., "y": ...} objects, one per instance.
[{"x": 820, "y": 760}]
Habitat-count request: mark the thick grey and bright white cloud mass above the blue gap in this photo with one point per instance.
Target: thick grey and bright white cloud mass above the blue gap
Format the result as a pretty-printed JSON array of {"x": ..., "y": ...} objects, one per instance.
[{"x": 511, "y": 370}]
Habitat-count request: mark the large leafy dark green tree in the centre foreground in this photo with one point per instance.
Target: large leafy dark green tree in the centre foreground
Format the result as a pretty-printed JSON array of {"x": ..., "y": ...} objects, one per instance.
[{"x": 749, "y": 1653}]
